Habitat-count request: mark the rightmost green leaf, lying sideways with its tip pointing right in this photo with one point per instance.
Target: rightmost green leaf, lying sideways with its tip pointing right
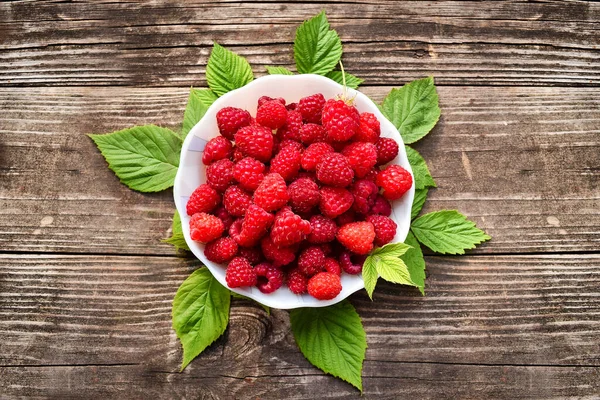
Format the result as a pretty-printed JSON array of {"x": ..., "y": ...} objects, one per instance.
[{"x": 447, "y": 232}]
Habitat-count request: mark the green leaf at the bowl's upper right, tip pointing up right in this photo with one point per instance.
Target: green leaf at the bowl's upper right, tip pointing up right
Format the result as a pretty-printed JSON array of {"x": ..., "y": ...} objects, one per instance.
[{"x": 413, "y": 109}]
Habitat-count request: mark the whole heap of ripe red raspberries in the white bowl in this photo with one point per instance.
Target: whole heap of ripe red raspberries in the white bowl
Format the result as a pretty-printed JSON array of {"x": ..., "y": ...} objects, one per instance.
[{"x": 297, "y": 195}]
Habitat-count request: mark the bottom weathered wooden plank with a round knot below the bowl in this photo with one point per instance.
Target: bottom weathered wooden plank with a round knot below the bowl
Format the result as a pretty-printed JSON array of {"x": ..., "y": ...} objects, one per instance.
[{"x": 490, "y": 326}]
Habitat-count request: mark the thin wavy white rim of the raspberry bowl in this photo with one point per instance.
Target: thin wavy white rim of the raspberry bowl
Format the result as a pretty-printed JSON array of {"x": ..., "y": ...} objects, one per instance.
[{"x": 220, "y": 103}]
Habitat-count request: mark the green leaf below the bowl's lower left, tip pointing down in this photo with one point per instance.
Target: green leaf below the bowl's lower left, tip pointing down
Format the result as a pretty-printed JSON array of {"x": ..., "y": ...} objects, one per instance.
[{"x": 200, "y": 313}]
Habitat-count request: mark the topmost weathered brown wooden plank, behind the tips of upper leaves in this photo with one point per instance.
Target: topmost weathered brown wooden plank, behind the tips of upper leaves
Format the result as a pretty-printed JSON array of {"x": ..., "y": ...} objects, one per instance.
[{"x": 161, "y": 44}]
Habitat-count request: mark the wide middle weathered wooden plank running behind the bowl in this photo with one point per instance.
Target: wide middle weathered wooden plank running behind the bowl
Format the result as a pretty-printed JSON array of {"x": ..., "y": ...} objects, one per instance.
[{"x": 522, "y": 162}]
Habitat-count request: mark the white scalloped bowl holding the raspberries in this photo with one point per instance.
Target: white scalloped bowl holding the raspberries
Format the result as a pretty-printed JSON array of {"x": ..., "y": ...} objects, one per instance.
[{"x": 191, "y": 172}]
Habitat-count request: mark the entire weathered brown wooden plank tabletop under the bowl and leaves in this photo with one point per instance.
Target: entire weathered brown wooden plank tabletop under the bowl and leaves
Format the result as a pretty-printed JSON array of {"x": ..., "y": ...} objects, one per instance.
[{"x": 86, "y": 286}]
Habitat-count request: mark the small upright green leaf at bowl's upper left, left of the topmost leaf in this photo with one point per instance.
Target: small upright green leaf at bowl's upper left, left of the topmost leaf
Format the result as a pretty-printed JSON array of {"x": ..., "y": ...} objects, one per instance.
[{"x": 227, "y": 71}]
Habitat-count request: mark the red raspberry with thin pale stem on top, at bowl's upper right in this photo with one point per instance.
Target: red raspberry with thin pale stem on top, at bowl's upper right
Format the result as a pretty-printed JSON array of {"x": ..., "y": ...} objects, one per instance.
[{"x": 340, "y": 120}]
